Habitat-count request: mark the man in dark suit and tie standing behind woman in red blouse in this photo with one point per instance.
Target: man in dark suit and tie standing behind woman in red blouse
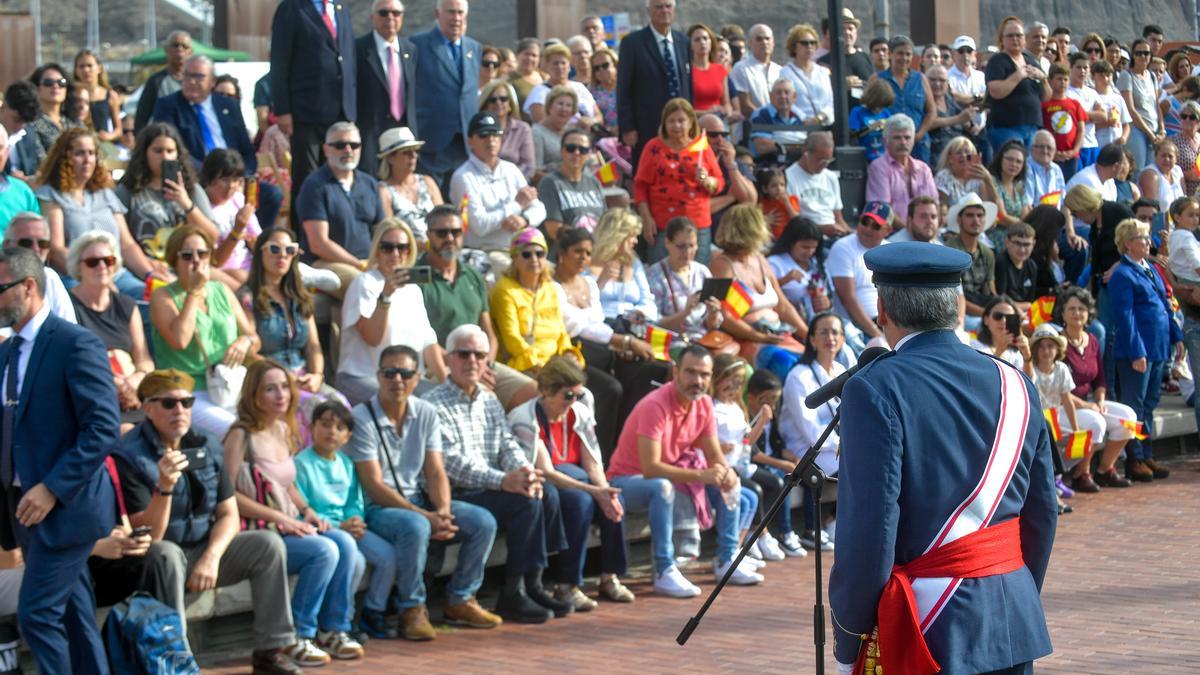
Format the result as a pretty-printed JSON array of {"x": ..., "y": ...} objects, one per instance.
[{"x": 655, "y": 68}]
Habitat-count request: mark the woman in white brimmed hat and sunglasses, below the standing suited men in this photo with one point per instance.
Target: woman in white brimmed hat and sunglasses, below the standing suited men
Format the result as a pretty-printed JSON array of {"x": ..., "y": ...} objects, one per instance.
[{"x": 404, "y": 193}]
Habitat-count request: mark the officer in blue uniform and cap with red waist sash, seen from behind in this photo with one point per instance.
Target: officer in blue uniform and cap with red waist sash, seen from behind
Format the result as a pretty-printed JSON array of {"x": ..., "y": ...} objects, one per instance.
[{"x": 946, "y": 488}]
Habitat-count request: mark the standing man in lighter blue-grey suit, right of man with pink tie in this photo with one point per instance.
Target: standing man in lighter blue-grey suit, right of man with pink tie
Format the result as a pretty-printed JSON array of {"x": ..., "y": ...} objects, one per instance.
[{"x": 448, "y": 76}]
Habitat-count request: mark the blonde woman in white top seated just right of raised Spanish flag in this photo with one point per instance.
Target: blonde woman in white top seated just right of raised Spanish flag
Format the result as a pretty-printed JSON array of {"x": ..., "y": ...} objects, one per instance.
[{"x": 771, "y": 319}]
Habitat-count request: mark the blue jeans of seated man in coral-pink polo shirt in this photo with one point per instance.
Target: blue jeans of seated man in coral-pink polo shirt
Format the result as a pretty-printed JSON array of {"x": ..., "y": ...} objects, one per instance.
[{"x": 657, "y": 495}]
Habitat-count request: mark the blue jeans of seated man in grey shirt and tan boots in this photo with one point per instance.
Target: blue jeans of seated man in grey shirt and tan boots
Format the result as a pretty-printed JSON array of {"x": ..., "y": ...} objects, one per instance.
[{"x": 409, "y": 533}]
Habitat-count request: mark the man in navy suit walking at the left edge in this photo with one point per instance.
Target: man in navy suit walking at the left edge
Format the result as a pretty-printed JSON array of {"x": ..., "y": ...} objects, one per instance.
[{"x": 61, "y": 421}]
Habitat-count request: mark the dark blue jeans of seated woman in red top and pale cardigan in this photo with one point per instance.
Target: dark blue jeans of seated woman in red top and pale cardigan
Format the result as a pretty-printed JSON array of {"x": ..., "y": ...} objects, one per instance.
[{"x": 580, "y": 511}]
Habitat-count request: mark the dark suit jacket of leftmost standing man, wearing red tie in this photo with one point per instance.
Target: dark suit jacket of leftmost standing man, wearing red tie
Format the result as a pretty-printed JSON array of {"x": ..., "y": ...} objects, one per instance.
[{"x": 313, "y": 76}]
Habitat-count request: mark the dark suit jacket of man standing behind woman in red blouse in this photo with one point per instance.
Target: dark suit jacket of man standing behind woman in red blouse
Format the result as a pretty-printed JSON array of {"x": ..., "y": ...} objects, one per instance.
[{"x": 643, "y": 82}]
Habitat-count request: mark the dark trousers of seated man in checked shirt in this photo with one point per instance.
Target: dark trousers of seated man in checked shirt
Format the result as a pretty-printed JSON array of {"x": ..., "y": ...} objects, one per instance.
[{"x": 532, "y": 528}]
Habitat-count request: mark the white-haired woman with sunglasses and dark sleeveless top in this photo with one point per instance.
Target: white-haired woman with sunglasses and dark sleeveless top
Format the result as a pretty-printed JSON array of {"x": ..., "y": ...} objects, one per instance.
[{"x": 94, "y": 260}]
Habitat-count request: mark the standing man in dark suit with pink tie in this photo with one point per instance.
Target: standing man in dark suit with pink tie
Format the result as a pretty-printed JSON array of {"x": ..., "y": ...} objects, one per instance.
[{"x": 387, "y": 69}]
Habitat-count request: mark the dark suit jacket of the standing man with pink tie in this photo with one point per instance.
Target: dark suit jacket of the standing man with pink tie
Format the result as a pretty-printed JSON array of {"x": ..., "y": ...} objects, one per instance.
[{"x": 374, "y": 104}]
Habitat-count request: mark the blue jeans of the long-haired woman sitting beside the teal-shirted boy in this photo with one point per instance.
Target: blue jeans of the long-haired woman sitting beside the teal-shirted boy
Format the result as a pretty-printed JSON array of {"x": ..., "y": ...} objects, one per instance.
[{"x": 327, "y": 566}]
